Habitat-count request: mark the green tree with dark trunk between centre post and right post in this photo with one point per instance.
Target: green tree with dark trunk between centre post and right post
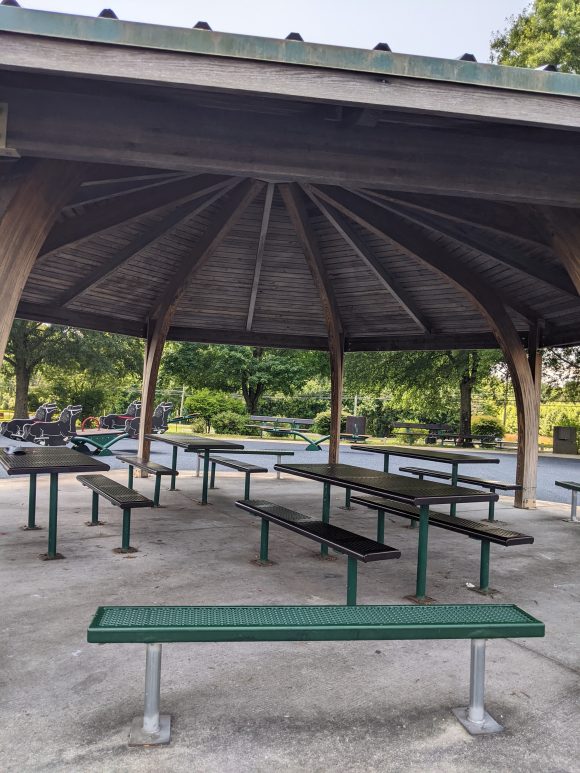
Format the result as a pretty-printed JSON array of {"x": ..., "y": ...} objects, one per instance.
[{"x": 427, "y": 381}]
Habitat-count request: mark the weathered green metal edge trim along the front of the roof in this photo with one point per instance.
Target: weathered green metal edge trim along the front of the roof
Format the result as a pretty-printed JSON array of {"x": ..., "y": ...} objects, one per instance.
[{"x": 196, "y": 41}]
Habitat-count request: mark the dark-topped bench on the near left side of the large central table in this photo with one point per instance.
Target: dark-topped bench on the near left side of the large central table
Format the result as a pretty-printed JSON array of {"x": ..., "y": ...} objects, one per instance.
[{"x": 354, "y": 546}]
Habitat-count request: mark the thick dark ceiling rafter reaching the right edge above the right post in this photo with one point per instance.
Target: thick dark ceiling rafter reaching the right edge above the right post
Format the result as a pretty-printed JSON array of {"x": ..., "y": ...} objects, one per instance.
[{"x": 503, "y": 253}]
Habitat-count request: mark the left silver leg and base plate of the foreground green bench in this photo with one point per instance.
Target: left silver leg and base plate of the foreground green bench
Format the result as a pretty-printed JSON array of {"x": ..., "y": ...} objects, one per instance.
[{"x": 153, "y": 728}]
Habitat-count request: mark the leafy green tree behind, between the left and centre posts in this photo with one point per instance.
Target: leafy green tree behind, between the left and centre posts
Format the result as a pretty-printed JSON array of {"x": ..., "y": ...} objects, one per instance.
[{"x": 253, "y": 371}]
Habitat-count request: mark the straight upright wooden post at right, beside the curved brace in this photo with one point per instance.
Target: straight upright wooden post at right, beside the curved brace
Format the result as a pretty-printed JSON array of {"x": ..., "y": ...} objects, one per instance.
[{"x": 528, "y": 411}]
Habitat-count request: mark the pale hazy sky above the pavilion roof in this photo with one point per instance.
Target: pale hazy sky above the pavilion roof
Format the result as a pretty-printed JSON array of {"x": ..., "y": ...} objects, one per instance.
[{"x": 442, "y": 28}]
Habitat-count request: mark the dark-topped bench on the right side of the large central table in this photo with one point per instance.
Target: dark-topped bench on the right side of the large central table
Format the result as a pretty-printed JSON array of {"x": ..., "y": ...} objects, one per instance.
[{"x": 485, "y": 532}]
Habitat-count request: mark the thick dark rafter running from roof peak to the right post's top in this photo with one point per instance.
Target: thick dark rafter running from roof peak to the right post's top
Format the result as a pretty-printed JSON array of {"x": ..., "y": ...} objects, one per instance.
[{"x": 411, "y": 237}]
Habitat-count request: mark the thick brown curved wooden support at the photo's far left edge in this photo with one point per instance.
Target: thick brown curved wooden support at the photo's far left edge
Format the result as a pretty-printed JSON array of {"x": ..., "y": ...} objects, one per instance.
[{"x": 26, "y": 221}]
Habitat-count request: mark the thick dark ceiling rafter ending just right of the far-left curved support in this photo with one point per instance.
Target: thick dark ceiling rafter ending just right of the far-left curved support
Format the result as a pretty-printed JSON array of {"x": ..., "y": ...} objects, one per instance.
[{"x": 73, "y": 231}]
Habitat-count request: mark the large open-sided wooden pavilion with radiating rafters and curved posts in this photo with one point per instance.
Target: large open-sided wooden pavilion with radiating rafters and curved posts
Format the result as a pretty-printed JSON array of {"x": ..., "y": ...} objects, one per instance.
[{"x": 186, "y": 184}]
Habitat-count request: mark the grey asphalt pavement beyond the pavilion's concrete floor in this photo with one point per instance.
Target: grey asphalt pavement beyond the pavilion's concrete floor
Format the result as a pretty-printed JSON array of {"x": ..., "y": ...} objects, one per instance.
[{"x": 550, "y": 468}]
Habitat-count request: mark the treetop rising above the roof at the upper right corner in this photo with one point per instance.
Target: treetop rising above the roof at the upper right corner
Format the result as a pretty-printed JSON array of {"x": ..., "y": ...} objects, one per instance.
[{"x": 547, "y": 32}]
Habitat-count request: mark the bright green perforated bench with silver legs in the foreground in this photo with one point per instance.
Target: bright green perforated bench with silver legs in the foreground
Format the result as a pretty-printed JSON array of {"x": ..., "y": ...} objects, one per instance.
[{"x": 154, "y": 625}]
